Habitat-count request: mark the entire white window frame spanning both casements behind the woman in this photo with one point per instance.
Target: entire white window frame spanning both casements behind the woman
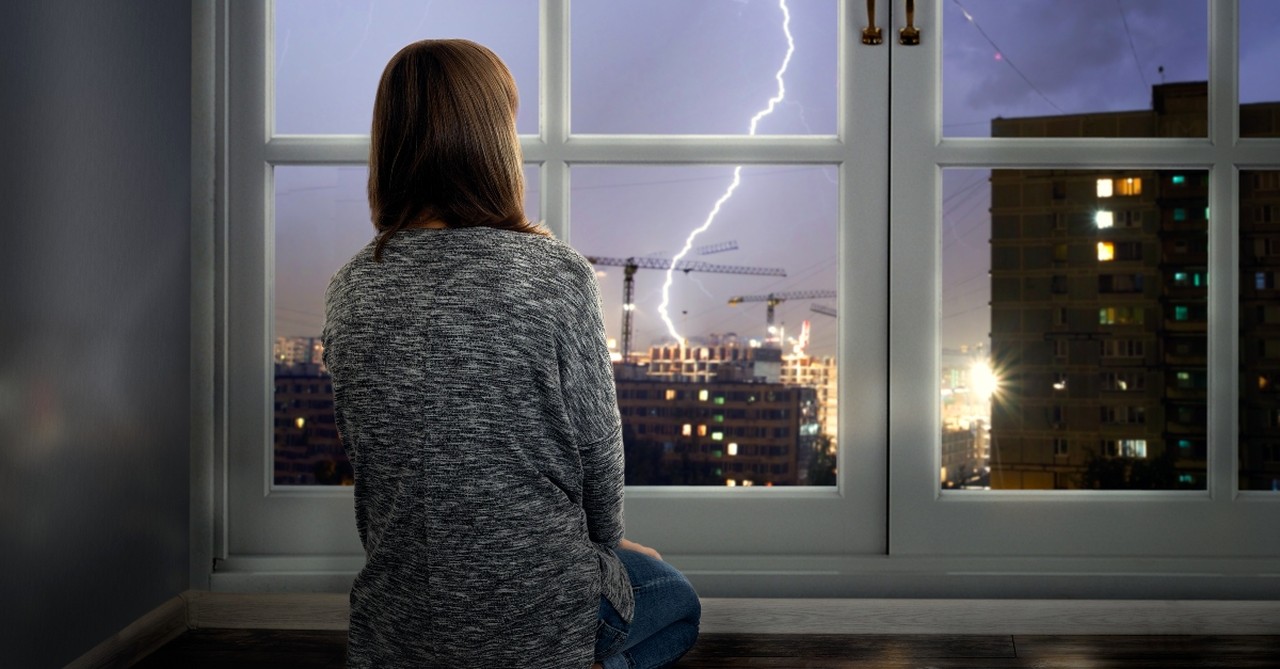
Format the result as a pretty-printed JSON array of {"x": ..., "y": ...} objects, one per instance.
[{"x": 886, "y": 530}]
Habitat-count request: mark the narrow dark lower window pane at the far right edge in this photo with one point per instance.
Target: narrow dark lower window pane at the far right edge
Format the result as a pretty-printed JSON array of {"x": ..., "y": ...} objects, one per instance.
[{"x": 1260, "y": 331}]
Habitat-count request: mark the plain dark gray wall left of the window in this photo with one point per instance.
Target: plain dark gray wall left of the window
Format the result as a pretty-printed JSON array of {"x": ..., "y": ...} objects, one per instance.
[{"x": 95, "y": 210}]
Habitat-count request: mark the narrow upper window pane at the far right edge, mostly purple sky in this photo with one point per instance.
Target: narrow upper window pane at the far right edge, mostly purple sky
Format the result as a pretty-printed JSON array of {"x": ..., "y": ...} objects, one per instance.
[{"x": 1260, "y": 52}]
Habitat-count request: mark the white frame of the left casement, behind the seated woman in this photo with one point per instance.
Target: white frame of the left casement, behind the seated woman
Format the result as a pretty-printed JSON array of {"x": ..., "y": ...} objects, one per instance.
[{"x": 258, "y": 521}]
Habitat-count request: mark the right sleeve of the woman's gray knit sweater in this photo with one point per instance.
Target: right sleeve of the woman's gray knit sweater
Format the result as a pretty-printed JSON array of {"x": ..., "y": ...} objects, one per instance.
[{"x": 591, "y": 400}]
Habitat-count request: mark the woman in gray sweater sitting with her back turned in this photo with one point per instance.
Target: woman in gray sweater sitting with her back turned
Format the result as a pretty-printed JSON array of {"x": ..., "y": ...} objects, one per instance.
[{"x": 474, "y": 395}]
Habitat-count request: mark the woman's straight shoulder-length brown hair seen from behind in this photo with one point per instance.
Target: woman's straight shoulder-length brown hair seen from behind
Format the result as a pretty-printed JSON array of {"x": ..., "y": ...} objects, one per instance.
[{"x": 444, "y": 145}]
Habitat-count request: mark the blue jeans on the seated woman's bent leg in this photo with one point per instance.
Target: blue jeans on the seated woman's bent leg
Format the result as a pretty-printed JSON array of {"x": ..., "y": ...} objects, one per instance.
[{"x": 666, "y": 620}]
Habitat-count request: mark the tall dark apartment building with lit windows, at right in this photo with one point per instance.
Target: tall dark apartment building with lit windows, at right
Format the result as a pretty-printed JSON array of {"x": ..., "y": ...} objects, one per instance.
[{"x": 1099, "y": 313}]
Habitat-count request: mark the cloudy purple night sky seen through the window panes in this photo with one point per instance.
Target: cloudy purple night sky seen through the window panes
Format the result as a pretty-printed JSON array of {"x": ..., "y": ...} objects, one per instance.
[{"x": 707, "y": 67}]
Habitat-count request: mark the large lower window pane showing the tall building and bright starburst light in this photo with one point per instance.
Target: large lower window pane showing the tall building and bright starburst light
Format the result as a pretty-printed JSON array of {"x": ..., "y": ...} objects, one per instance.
[{"x": 1095, "y": 372}]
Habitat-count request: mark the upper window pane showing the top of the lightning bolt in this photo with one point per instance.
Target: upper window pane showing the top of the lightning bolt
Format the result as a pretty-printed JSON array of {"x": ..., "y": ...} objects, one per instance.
[{"x": 679, "y": 67}]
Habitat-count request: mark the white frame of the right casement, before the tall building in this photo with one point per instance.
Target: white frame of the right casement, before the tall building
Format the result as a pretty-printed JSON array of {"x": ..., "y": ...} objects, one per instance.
[{"x": 1213, "y": 530}]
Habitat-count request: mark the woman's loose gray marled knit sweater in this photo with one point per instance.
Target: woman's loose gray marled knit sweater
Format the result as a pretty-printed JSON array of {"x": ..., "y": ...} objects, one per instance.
[{"x": 476, "y": 398}]
